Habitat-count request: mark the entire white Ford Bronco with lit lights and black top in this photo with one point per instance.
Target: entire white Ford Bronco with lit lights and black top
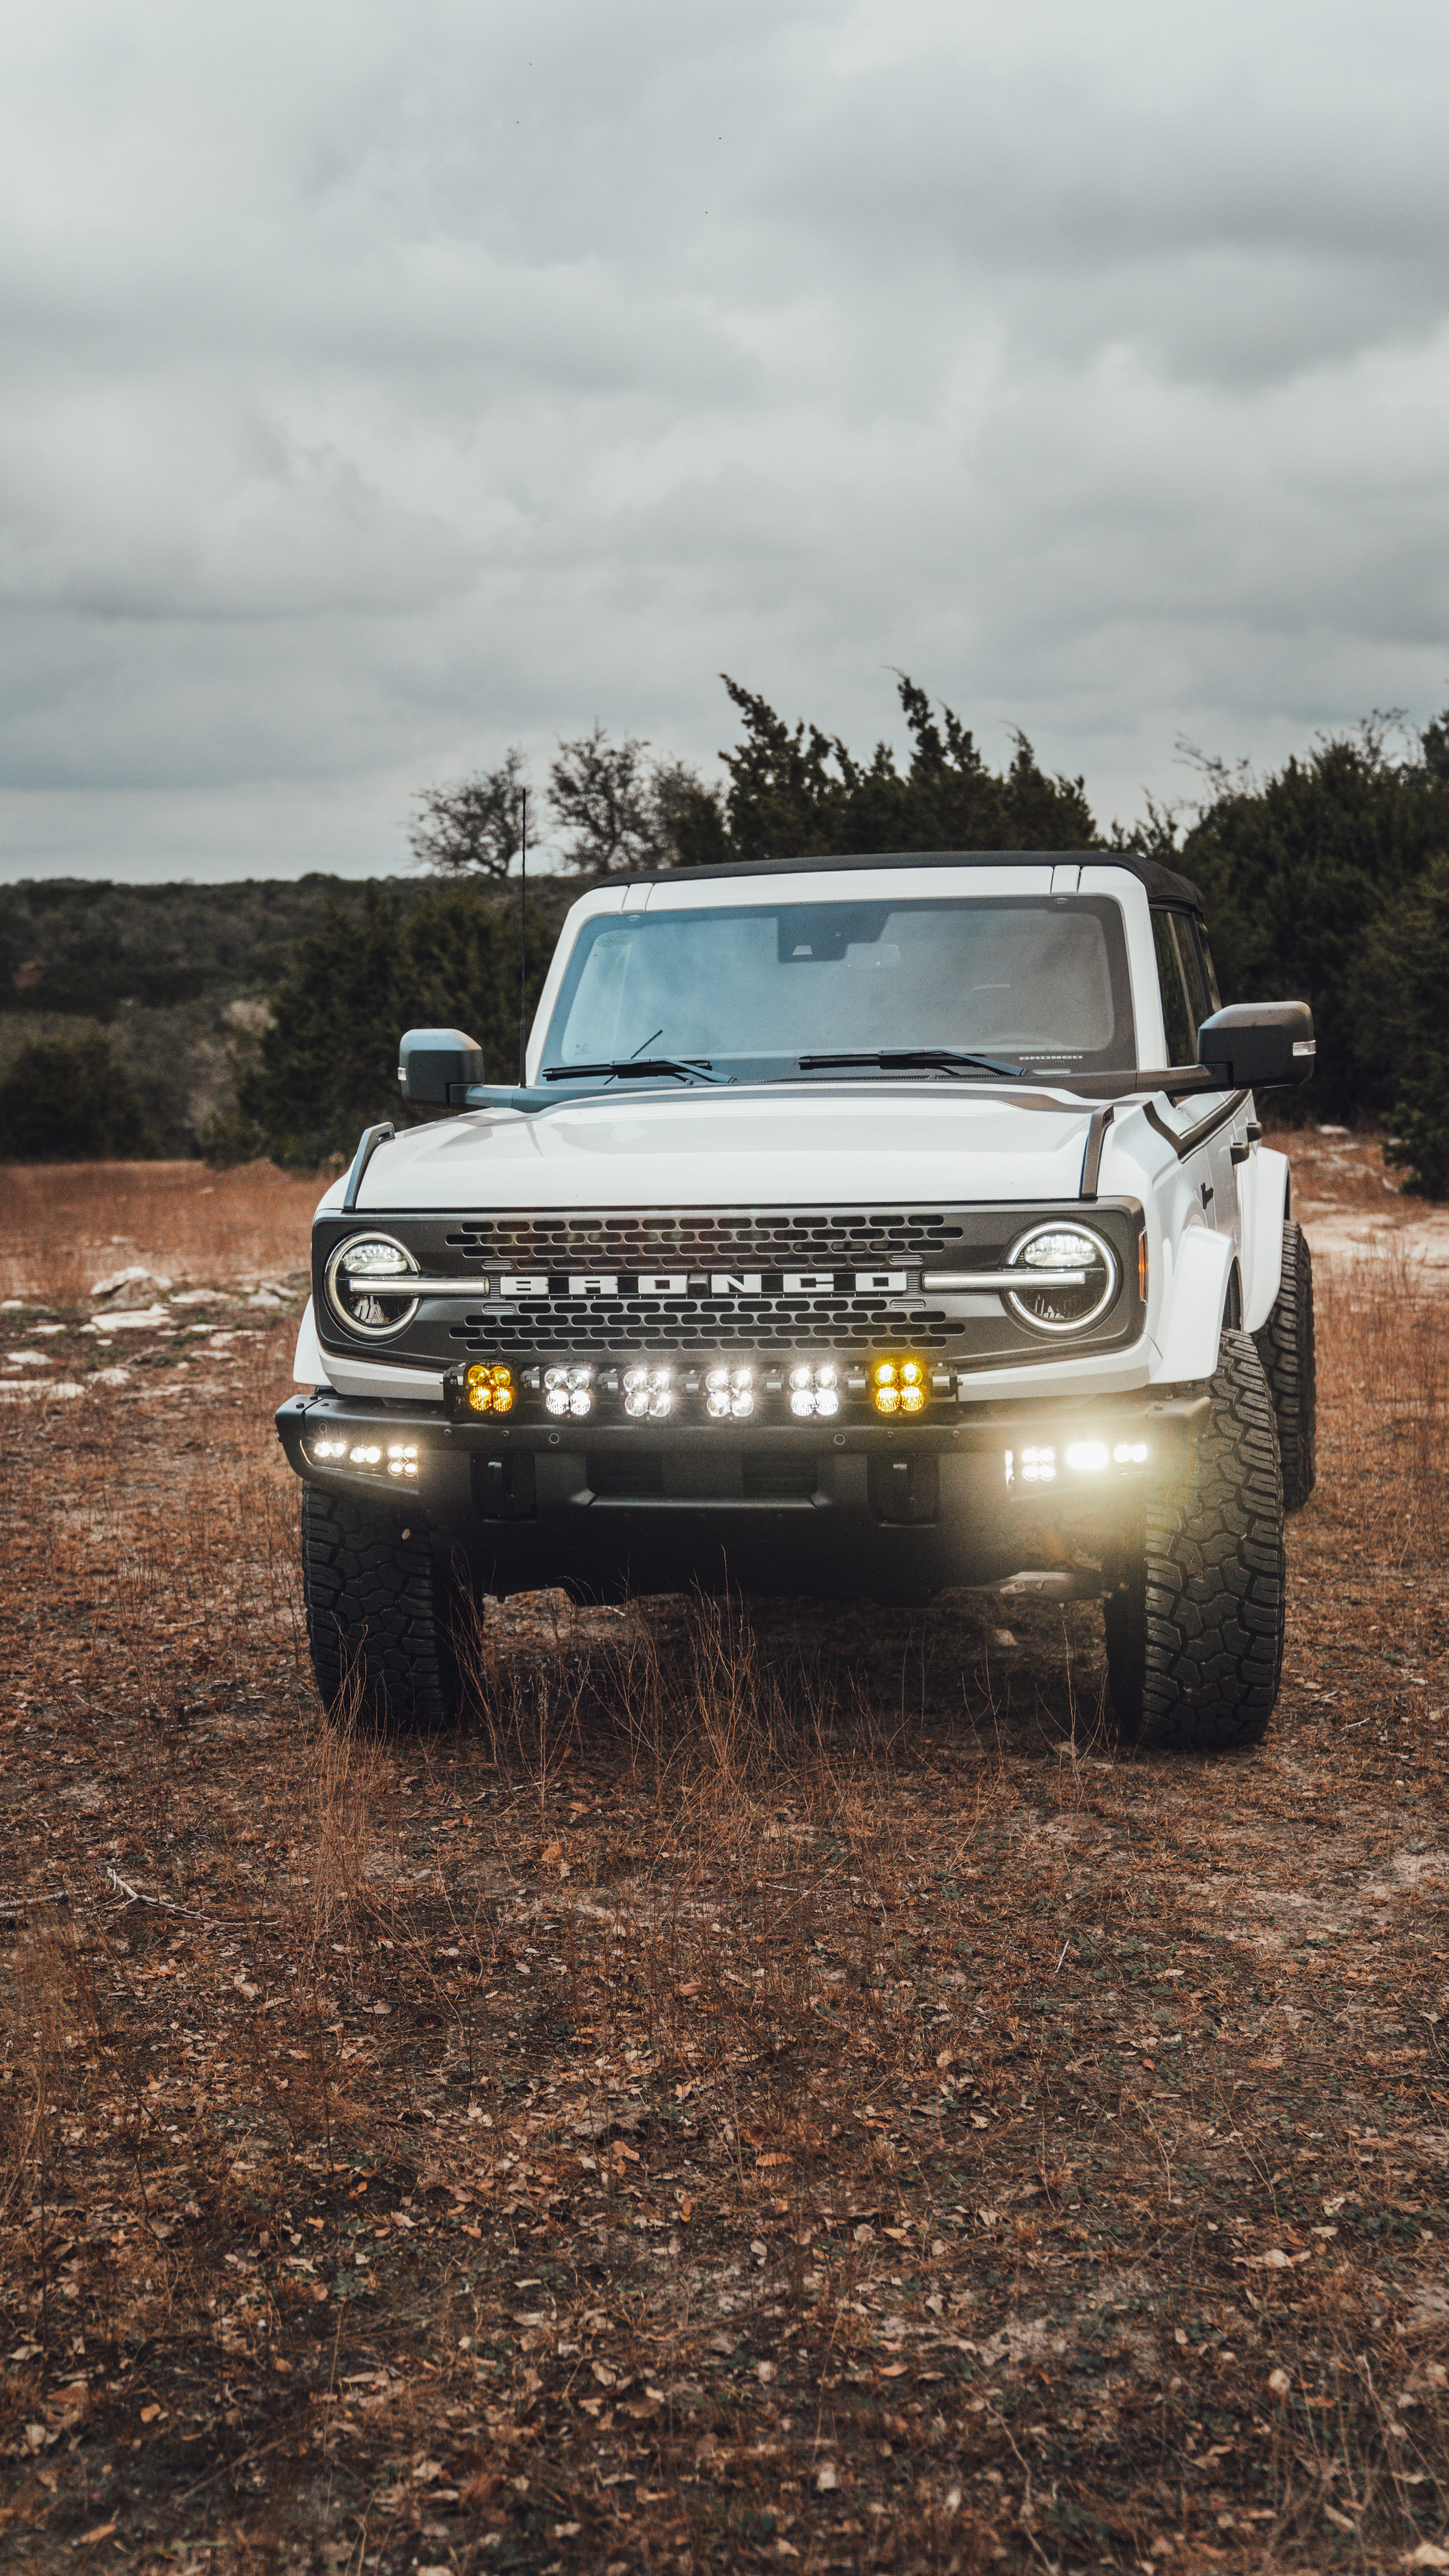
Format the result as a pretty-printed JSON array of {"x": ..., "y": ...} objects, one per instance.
[{"x": 862, "y": 1227}]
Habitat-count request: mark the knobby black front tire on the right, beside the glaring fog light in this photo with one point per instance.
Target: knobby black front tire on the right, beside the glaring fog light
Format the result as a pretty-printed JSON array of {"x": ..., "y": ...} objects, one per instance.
[{"x": 1195, "y": 1640}]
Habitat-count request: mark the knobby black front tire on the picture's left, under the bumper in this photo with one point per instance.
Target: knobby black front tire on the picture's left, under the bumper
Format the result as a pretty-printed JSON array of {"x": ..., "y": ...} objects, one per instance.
[{"x": 378, "y": 1614}]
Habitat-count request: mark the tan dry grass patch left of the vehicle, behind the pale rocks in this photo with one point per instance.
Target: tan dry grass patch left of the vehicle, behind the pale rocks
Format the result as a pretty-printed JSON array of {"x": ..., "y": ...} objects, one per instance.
[{"x": 61, "y": 1230}]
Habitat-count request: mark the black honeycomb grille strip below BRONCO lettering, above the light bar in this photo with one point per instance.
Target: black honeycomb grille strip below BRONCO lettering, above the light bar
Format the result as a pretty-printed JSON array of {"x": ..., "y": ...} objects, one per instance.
[{"x": 692, "y": 1328}]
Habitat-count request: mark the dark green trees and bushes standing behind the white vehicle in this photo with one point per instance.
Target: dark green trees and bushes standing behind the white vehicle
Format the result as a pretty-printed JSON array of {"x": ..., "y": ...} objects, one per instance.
[{"x": 1324, "y": 880}]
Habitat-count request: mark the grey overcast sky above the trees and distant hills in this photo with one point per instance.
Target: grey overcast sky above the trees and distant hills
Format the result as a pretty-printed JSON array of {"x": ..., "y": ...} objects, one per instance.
[{"x": 396, "y": 380}]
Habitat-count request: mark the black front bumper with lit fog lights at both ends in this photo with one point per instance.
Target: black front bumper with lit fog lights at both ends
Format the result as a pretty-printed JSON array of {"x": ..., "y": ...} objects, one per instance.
[{"x": 1035, "y": 1495}]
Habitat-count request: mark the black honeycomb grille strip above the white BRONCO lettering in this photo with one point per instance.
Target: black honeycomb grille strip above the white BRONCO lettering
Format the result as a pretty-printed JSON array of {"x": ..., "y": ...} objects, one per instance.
[{"x": 708, "y": 1240}]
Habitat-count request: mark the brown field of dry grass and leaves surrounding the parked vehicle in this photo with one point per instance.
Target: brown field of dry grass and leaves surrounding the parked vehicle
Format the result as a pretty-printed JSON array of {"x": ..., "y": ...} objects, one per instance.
[{"x": 764, "y": 2093}]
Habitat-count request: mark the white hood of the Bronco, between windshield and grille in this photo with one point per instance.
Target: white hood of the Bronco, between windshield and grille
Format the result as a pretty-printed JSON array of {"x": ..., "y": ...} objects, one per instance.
[{"x": 713, "y": 1150}]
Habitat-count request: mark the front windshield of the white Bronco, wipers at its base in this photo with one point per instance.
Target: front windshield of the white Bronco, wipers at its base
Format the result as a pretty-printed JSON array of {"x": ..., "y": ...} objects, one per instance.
[{"x": 752, "y": 988}]
